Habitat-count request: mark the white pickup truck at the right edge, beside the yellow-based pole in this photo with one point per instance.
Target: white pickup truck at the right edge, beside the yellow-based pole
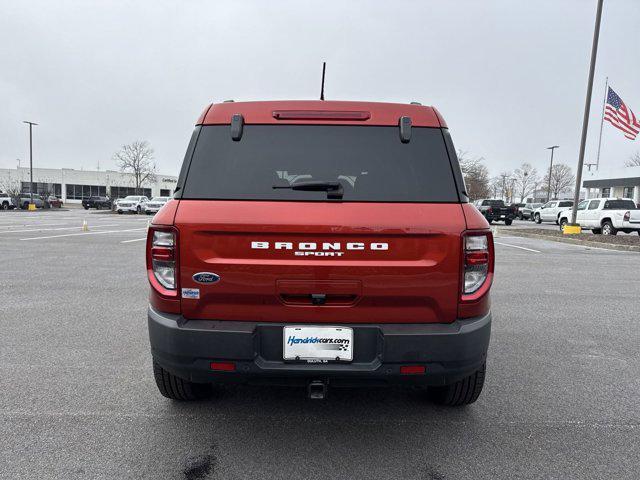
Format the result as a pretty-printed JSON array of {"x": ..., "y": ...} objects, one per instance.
[{"x": 605, "y": 215}]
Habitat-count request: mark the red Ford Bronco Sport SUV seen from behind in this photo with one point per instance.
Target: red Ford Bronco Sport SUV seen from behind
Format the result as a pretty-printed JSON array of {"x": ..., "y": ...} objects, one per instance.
[{"x": 320, "y": 243}]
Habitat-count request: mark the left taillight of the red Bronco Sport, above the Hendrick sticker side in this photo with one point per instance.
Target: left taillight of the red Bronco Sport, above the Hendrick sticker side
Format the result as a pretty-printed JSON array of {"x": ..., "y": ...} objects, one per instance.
[{"x": 162, "y": 260}]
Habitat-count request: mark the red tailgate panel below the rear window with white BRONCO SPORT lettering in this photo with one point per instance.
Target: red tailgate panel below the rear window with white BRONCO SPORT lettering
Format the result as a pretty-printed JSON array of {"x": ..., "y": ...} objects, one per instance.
[{"x": 317, "y": 262}]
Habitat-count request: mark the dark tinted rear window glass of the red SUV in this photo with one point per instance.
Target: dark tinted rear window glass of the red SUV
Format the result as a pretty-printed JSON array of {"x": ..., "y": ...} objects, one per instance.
[{"x": 371, "y": 164}]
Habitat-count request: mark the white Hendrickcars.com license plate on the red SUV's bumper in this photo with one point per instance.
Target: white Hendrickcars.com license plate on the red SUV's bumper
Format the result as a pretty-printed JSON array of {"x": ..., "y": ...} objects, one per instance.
[{"x": 318, "y": 343}]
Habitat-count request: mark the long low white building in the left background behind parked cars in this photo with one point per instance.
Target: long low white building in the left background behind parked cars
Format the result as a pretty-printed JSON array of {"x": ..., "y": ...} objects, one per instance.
[{"x": 73, "y": 185}]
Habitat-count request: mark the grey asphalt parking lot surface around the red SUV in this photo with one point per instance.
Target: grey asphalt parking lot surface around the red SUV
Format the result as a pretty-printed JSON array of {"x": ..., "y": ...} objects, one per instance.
[{"x": 78, "y": 401}]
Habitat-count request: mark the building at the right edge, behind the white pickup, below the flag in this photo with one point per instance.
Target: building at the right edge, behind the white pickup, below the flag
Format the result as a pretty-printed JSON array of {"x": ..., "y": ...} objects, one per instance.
[{"x": 620, "y": 182}]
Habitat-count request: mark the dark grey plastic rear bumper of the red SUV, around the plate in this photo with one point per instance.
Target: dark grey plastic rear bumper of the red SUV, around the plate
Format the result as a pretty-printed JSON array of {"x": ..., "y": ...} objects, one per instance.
[{"x": 449, "y": 352}]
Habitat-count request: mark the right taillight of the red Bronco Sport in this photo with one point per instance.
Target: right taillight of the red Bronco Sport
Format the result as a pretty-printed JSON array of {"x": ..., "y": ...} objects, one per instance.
[{"x": 478, "y": 264}]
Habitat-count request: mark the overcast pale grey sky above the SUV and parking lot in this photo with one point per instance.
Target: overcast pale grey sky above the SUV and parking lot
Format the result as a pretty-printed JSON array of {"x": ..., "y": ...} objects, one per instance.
[{"x": 509, "y": 76}]
